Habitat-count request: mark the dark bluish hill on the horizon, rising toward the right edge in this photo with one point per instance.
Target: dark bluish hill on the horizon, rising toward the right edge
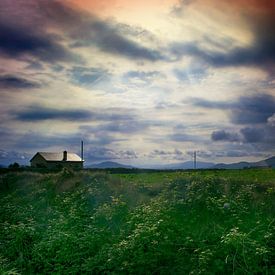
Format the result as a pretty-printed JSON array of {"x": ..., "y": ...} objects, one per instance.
[{"x": 270, "y": 162}]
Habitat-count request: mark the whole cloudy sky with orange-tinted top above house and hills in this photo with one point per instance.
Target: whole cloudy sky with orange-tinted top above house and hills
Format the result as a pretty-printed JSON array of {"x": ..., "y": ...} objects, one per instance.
[{"x": 141, "y": 82}]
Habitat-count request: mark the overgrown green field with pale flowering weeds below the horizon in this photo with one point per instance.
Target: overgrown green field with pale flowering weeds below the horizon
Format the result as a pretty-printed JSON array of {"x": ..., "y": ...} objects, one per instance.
[{"x": 87, "y": 222}]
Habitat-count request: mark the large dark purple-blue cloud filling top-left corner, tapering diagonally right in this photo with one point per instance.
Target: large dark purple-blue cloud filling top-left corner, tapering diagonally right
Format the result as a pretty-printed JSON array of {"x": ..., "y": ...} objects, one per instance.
[{"x": 79, "y": 27}]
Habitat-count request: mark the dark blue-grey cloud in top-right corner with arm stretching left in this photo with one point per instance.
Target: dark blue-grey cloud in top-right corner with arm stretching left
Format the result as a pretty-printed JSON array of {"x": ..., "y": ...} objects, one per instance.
[{"x": 260, "y": 53}]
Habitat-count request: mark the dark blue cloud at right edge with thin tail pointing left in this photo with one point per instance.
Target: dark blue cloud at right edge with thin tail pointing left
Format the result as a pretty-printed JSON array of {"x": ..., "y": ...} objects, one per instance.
[{"x": 246, "y": 110}]
